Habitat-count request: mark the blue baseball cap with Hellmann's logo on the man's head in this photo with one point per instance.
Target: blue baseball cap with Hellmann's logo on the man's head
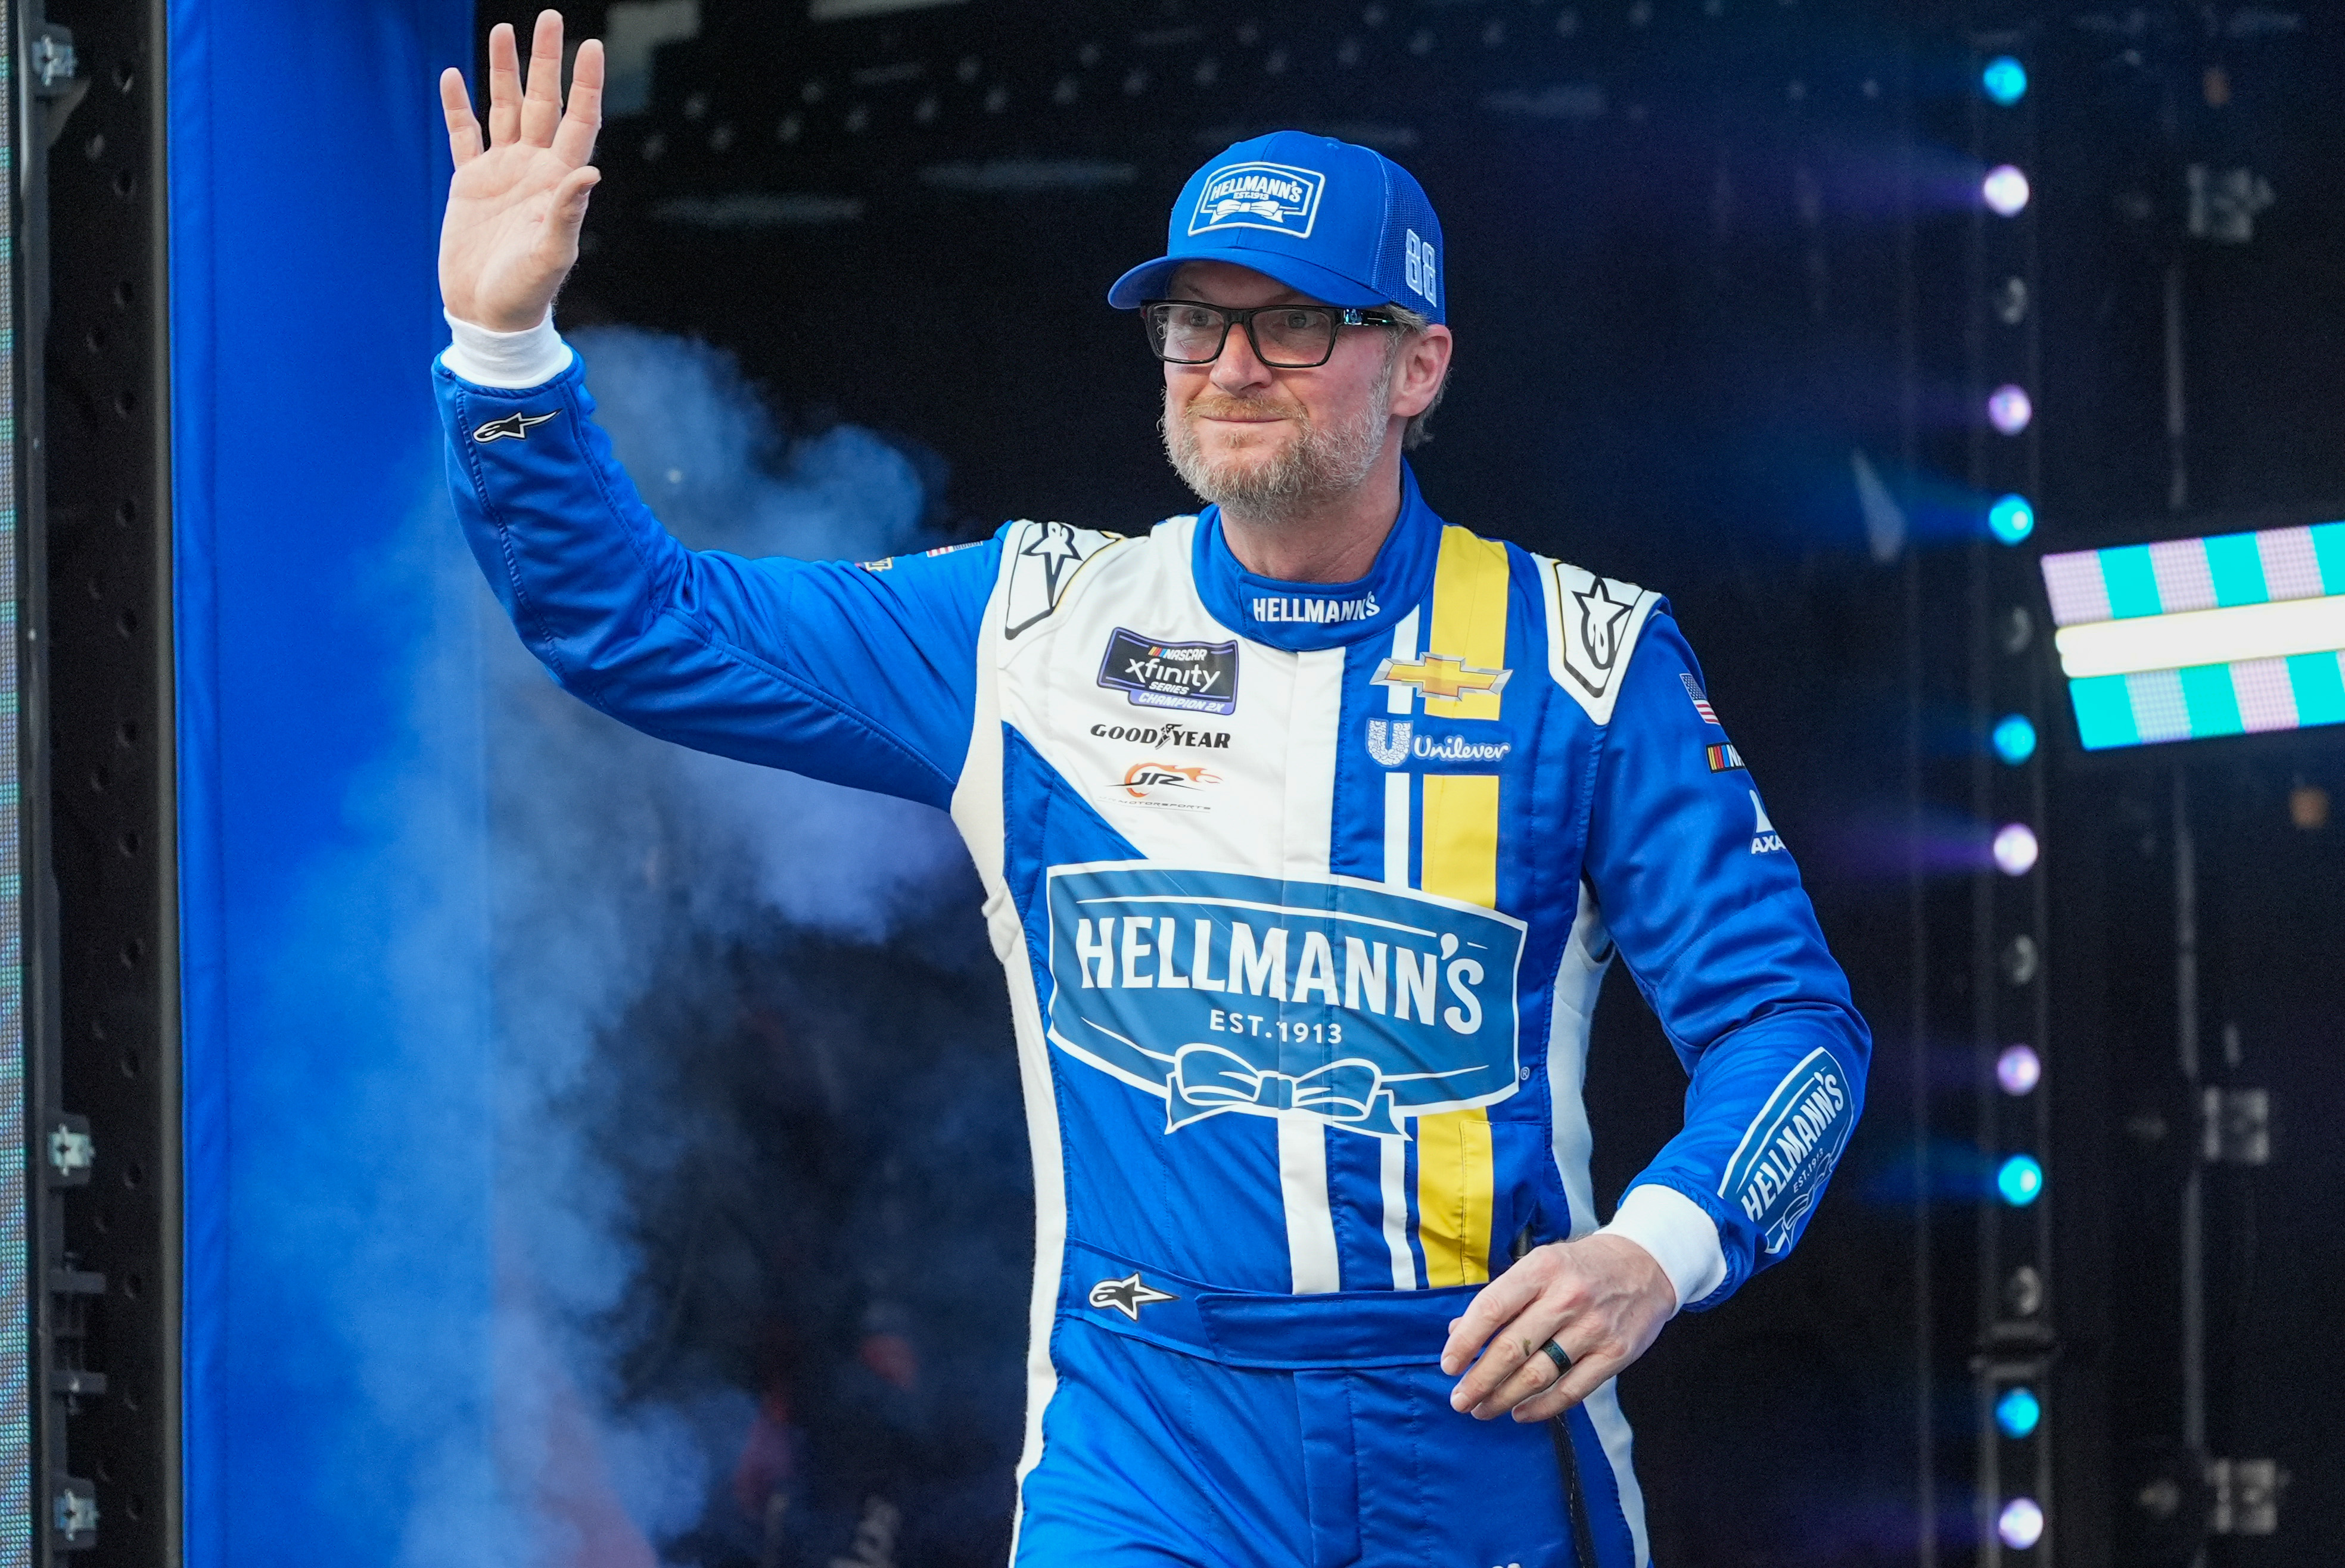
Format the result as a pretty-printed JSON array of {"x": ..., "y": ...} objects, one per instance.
[{"x": 1335, "y": 221}]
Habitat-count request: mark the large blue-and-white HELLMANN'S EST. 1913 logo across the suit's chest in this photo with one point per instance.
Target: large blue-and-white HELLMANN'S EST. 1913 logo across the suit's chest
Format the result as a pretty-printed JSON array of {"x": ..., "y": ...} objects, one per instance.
[{"x": 1343, "y": 1000}]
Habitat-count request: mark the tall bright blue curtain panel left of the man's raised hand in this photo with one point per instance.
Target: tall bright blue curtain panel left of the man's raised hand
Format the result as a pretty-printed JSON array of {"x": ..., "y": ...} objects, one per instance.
[{"x": 337, "y": 1032}]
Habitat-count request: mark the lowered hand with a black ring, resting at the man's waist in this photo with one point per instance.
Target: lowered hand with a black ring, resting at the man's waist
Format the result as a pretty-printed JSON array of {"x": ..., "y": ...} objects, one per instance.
[{"x": 1600, "y": 1297}]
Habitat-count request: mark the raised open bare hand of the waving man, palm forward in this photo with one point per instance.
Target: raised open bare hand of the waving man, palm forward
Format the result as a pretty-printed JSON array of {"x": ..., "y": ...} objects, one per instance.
[{"x": 515, "y": 210}]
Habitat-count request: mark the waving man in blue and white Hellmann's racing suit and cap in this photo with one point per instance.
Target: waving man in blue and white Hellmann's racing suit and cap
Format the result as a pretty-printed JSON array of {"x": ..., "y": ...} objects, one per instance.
[{"x": 1310, "y": 829}]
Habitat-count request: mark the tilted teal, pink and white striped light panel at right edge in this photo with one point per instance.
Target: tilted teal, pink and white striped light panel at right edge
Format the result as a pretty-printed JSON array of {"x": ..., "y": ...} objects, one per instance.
[{"x": 2198, "y": 639}]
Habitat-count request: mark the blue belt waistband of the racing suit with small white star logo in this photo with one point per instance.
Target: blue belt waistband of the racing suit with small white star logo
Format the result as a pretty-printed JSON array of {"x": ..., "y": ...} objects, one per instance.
[{"x": 1335, "y": 1330}]
